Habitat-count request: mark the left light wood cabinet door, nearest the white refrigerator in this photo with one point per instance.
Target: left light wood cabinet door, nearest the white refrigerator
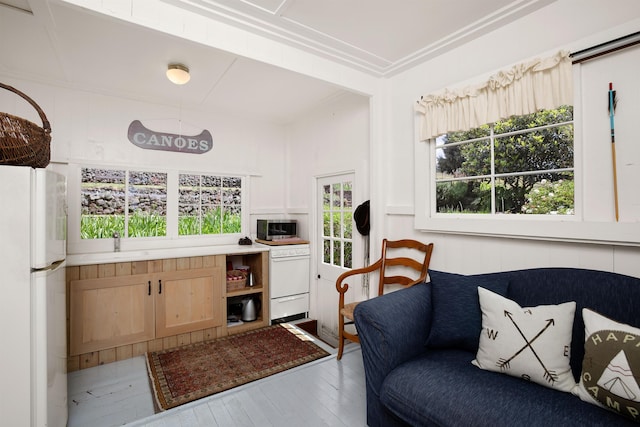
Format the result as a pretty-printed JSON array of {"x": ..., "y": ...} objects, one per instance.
[{"x": 110, "y": 312}]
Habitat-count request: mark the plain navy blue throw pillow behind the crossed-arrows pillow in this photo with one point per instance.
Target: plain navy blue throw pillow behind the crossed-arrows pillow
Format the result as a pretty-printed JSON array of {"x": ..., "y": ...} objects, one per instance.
[{"x": 456, "y": 319}]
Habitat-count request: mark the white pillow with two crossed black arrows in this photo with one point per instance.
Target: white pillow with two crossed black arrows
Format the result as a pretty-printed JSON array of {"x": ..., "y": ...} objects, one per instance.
[{"x": 532, "y": 343}]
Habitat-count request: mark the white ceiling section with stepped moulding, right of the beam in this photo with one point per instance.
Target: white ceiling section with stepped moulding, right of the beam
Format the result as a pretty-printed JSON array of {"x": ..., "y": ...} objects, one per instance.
[{"x": 378, "y": 36}]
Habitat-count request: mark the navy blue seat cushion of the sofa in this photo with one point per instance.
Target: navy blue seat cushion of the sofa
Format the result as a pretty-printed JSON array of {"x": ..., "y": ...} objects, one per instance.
[{"x": 442, "y": 387}]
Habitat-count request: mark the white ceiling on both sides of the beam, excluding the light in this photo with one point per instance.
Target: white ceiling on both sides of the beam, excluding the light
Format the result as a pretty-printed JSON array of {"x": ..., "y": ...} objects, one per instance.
[{"x": 56, "y": 43}]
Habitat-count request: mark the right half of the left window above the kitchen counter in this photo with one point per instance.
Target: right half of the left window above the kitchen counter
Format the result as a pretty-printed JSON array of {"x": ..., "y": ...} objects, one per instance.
[{"x": 147, "y": 204}]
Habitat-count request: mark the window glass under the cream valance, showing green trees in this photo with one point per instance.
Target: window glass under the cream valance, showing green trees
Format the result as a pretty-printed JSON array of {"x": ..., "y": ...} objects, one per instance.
[{"x": 521, "y": 165}]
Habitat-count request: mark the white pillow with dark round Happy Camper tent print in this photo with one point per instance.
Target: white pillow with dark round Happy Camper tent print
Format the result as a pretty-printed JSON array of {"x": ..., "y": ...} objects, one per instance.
[{"x": 611, "y": 365}]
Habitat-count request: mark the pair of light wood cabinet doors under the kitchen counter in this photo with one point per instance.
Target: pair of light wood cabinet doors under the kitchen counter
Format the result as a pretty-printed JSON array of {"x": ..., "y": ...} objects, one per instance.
[{"x": 115, "y": 311}]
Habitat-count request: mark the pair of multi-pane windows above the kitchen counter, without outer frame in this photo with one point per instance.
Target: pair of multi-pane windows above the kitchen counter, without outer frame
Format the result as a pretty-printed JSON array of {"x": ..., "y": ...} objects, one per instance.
[{"x": 135, "y": 204}]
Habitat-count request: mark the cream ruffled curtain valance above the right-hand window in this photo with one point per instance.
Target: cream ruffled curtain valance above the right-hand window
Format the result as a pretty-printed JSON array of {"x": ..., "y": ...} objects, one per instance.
[{"x": 524, "y": 89}]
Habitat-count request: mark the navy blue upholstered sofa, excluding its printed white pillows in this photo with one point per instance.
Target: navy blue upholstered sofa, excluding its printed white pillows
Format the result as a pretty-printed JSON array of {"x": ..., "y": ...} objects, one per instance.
[{"x": 409, "y": 382}]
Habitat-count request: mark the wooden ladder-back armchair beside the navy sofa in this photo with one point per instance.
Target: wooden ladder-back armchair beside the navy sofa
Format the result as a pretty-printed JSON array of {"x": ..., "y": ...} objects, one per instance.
[{"x": 407, "y": 265}]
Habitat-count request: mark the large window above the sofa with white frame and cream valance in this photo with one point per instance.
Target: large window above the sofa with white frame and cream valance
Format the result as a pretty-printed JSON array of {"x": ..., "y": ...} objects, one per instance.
[{"x": 591, "y": 170}]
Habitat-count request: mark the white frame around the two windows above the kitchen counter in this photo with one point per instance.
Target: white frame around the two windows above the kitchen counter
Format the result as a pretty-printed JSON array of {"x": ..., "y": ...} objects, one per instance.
[{"x": 77, "y": 245}]
